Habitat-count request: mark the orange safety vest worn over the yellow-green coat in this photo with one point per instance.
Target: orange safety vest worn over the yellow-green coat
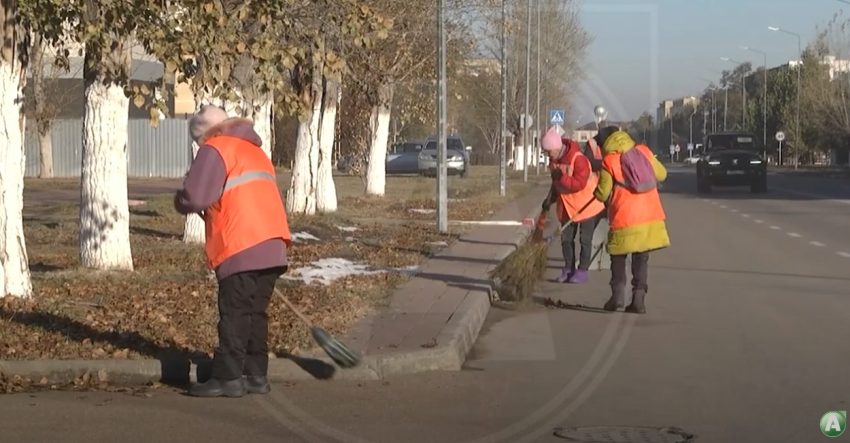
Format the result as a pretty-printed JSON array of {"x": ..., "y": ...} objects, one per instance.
[{"x": 625, "y": 207}]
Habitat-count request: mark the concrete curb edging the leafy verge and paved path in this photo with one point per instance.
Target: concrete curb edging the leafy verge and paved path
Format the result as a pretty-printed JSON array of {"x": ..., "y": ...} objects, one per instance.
[{"x": 454, "y": 343}]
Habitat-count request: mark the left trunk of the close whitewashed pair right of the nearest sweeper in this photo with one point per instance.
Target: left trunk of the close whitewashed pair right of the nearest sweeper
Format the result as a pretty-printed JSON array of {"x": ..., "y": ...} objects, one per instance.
[{"x": 301, "y": 197}]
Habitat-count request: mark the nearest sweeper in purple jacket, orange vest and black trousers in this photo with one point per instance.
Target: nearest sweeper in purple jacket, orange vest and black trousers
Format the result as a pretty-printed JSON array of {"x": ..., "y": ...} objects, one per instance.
[{"x": 232, "y": 184}]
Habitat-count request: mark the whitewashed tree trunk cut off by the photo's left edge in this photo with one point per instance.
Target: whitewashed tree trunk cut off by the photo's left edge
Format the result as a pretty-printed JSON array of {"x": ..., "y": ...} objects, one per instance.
[{"x": 14, "y": 267}]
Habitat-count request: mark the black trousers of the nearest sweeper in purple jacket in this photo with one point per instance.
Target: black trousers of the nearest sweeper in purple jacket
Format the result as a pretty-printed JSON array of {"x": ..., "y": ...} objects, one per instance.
[{"x": 243, "y": 324}]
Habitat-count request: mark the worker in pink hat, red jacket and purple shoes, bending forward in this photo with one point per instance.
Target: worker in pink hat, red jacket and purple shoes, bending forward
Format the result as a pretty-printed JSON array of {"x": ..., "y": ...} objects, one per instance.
[{"x": 573, "y": 183}]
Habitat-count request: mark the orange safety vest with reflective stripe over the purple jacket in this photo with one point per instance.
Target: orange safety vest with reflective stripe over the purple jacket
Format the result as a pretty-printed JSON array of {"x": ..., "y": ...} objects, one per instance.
[{"x": 250, "y": 209}]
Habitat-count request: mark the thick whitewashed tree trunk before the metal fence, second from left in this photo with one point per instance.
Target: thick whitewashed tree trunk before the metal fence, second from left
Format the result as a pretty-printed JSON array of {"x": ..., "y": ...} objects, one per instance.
[{"x": 104, "y": 212}]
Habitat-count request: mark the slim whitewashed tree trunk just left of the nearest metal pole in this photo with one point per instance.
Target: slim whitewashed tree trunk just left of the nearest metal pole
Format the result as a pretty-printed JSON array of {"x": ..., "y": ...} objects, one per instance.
[{"x": 379, "y": 126}]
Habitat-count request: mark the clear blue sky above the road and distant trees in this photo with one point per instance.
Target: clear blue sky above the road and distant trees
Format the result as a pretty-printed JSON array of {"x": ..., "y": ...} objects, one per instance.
[{"x": 645, "y": 51}]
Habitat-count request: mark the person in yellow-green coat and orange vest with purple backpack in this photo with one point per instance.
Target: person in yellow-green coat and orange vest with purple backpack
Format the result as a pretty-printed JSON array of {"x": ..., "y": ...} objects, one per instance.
[{"x": 628, "y": 184}]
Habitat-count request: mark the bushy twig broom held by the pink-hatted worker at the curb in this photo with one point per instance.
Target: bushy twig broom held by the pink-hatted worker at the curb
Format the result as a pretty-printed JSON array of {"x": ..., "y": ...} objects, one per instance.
[{"x": 516, "y": 277}]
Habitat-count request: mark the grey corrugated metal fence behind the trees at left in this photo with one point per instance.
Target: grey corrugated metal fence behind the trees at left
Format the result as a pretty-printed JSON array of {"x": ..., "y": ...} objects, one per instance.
[{"x": 152, "y": 152}]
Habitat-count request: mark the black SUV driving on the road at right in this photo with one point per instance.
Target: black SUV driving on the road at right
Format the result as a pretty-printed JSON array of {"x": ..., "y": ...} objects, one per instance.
[{"x": 731, "y": 159}]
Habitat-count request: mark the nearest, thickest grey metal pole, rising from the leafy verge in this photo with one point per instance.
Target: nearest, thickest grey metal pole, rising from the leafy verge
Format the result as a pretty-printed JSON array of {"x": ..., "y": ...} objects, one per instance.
[{"x": 442, "y": 192}]
